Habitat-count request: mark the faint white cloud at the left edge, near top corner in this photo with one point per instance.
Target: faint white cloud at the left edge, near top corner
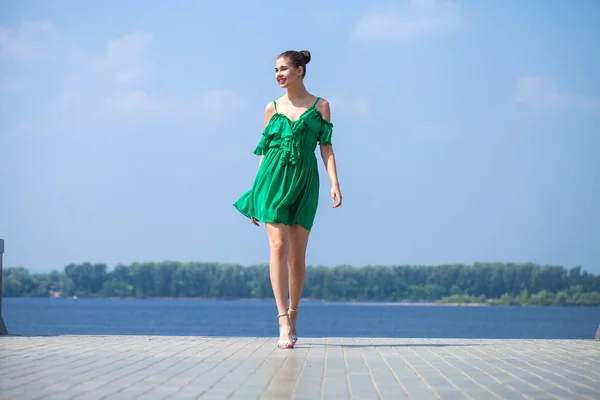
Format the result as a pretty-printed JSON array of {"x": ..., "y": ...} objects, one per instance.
[{"x": 29, "y": 41}]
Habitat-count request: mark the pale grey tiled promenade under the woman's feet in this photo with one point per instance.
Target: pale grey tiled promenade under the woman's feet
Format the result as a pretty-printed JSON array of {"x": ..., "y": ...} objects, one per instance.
[{"x": 142, "y": 367}]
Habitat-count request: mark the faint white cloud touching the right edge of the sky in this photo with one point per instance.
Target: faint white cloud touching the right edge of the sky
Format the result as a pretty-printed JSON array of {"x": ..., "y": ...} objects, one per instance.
[{"x": 541, "y": 93}]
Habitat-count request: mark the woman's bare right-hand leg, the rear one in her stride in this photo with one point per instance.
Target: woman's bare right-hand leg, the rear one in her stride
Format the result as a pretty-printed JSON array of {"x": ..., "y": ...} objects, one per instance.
[{"x": 298, "y": 238}]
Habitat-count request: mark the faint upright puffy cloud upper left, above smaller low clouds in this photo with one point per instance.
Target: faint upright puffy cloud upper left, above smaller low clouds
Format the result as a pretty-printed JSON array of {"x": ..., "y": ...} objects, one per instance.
[{"x": 125, "y": 59}]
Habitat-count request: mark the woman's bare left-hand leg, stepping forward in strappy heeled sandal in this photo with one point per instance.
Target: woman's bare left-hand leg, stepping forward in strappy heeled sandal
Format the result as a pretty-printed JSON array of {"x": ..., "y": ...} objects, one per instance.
[{"x": 279, "y": 244}]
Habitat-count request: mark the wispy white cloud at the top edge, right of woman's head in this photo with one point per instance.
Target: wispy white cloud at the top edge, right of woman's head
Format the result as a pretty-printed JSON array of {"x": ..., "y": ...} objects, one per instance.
[{"x": 420, "y": 18}]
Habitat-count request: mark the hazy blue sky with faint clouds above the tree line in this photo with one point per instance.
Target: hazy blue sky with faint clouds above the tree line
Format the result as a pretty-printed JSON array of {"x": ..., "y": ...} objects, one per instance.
[{"x": 465, "y": 131}]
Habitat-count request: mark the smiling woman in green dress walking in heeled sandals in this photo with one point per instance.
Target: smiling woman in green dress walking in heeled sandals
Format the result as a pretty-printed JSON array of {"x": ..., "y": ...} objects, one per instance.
[{"x": 285, "y": 192}]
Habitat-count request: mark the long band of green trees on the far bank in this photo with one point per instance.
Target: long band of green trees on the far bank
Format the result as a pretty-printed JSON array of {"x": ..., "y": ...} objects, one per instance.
[{"x": 485, "y": 283}]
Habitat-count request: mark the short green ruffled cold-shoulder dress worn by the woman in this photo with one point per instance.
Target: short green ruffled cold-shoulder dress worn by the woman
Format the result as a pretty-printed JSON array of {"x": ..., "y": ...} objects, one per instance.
[{"x": 286, "y": 187}]
